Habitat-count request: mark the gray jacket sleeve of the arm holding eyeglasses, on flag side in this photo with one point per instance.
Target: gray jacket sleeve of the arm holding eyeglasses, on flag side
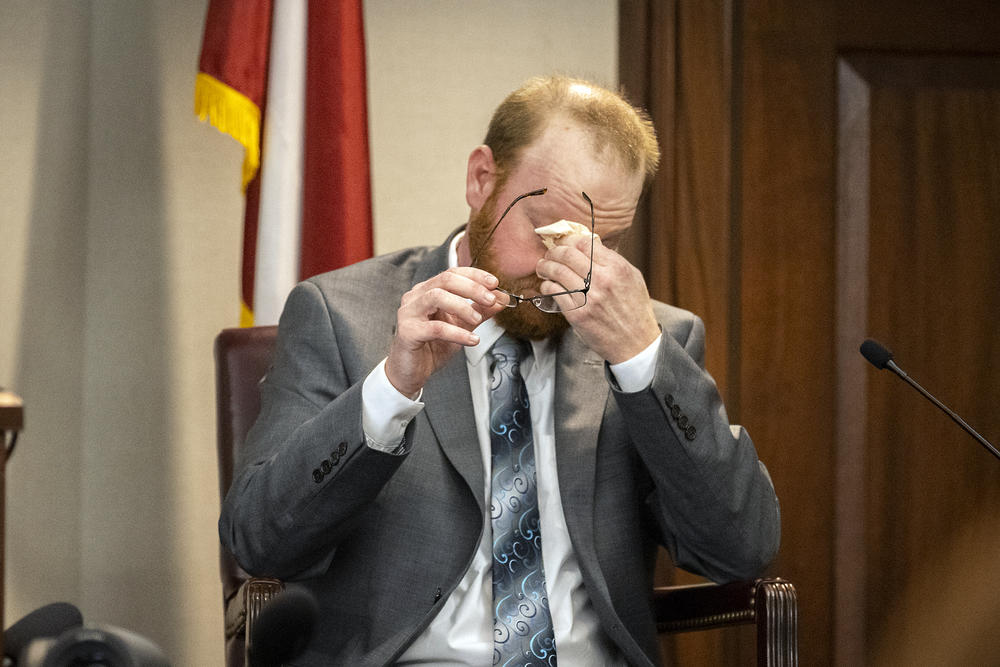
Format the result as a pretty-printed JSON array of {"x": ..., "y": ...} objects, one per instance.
[{"x": 306, "y": 472}]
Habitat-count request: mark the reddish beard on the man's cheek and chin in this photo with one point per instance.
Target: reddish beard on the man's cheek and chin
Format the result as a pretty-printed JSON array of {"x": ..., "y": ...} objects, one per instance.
[{"x": 524, "y": 321}]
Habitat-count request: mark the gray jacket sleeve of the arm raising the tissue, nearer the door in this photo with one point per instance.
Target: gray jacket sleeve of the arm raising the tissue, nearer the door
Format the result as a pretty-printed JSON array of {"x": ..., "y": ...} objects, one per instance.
[{"x": 713, "y": 499}]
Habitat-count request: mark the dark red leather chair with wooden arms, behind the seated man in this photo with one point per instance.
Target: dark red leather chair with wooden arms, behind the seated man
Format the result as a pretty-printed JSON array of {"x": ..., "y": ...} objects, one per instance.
[{"x": 242, "y": 357}]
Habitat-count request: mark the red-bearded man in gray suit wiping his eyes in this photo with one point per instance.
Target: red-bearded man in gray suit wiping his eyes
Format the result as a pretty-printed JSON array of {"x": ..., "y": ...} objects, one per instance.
[{"x": 371, "y": 474}]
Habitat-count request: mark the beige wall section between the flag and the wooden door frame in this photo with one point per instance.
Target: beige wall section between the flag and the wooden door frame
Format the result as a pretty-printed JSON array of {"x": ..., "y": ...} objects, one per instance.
[{"x": 435, "y": 76}]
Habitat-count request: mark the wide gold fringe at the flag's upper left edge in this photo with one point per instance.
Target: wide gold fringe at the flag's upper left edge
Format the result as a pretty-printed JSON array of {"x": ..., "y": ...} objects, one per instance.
[{"x": 231, "y": 112}]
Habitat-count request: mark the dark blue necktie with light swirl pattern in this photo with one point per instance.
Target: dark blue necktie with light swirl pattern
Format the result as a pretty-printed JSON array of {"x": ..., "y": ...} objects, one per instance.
[{"x": 522, "y": 624}]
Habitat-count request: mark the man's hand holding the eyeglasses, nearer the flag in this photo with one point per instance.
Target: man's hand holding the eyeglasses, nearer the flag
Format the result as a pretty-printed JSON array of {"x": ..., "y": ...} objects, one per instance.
[{"x": 435, "y": 319}]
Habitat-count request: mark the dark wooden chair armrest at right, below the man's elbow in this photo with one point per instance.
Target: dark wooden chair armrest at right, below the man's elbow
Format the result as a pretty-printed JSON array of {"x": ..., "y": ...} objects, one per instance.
[{"x": 771, "y": 604}]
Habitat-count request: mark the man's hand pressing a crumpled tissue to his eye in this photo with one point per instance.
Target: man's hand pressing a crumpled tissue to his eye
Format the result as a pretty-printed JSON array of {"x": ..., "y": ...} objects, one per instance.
[{"x": 617, "y": 322}]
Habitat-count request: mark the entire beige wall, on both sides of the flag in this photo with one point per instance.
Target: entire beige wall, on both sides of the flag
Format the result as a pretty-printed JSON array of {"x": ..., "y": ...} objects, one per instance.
[{"x": 120, "y": 230}]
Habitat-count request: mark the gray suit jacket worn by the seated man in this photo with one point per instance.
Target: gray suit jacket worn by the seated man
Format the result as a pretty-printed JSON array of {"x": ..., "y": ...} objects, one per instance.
[{"x": 382, "y": 540}]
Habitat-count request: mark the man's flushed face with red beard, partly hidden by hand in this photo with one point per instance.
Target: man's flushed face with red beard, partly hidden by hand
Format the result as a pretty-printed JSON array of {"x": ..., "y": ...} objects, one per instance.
[{"x": 564, "y": 161}]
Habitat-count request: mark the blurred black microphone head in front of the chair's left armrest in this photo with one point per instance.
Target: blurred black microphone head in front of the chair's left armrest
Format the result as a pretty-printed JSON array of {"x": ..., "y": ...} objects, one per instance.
[{"x": 283, "y": 628}]
